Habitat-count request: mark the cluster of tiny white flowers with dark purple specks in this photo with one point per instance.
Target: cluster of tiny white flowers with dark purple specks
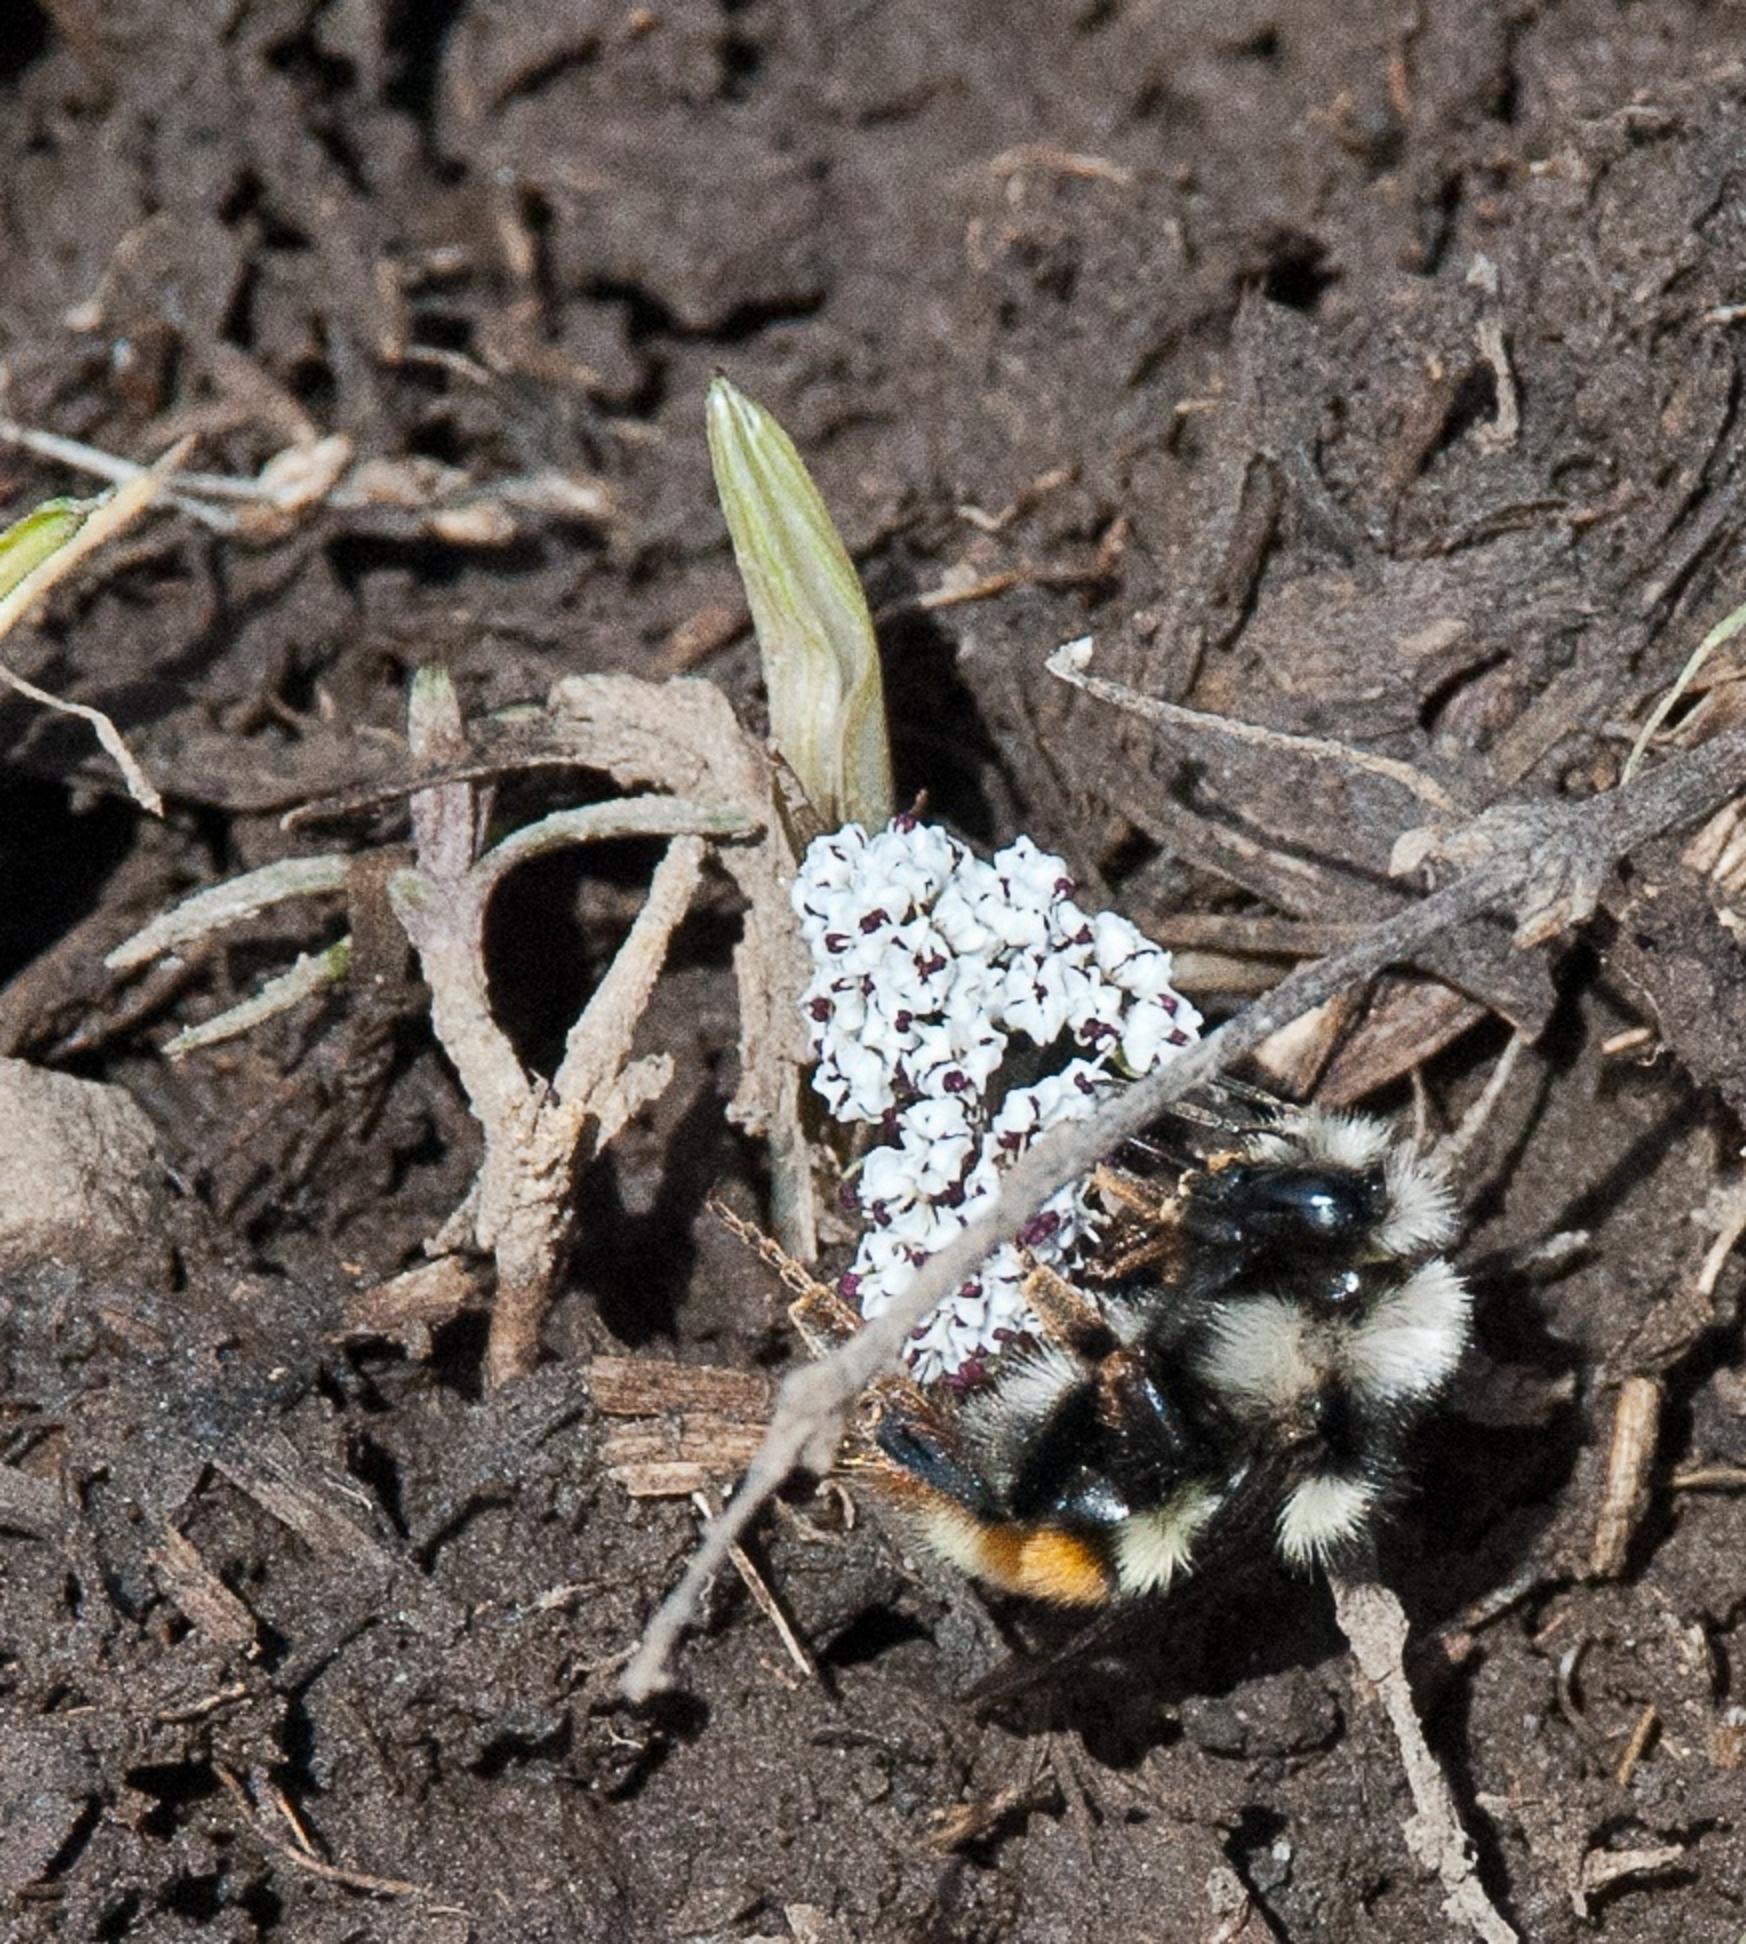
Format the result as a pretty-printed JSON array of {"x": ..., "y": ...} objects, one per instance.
[{"x": 926, "y": 963}]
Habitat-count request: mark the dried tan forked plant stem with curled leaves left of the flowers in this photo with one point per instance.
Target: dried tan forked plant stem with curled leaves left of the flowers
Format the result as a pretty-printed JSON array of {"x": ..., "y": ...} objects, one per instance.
[{"x": 715, "y": 784}]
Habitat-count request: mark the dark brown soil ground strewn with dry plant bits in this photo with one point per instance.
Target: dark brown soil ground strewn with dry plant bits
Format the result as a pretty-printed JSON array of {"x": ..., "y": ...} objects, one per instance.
[{"x": 1358, "y": 370}]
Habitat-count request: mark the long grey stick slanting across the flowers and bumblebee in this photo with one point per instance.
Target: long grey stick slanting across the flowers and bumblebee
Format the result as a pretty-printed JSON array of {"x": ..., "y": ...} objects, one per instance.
[{"x": 1541, "y": 850}]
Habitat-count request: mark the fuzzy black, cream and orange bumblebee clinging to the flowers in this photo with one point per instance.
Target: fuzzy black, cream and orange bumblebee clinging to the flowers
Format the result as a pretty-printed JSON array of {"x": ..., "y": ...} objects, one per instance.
[{"x": 1255, "y": 1342}]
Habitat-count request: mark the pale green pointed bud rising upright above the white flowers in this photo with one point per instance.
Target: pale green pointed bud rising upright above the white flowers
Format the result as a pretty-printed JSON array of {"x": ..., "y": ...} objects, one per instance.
[{"x": 816, "y": 635}]
